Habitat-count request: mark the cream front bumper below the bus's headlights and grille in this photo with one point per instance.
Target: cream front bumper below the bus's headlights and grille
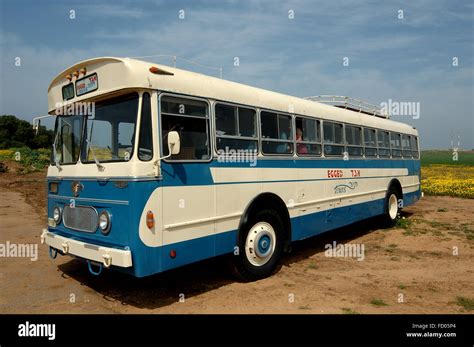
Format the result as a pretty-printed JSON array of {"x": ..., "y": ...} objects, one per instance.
[{"x": 105, "y": 255}]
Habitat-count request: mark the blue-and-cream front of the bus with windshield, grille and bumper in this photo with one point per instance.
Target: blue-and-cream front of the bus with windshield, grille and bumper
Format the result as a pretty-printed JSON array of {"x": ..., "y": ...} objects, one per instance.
[{"x": 101, "y": 176}]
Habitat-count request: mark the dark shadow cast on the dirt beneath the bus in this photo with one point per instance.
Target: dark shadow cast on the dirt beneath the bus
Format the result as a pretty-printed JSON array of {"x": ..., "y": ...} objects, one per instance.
[{"x": 191, "y": 280}]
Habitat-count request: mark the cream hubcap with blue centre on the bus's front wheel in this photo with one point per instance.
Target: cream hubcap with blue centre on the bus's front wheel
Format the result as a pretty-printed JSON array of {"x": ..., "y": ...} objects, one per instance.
[{"x": 260, "y": 244}]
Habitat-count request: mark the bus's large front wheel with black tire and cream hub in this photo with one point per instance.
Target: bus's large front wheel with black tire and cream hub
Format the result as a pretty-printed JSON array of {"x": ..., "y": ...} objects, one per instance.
[{"x": 266, "y": 230}]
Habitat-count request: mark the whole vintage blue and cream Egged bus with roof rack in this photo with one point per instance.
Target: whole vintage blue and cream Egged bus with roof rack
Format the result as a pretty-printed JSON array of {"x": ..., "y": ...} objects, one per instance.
[{"x": 155, "y": 167}]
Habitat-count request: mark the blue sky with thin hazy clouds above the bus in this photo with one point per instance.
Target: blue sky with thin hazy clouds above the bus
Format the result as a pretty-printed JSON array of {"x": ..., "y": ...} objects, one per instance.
[{"x": 419, "y": 52}]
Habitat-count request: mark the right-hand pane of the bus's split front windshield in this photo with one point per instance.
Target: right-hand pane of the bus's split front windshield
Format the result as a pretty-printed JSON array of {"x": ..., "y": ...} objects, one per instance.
[{"x": 110, "y": 134}]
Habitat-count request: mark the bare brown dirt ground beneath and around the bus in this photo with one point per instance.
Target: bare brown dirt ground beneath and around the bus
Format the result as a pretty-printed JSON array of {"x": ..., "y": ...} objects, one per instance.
[{"x": 413, "y": 263}]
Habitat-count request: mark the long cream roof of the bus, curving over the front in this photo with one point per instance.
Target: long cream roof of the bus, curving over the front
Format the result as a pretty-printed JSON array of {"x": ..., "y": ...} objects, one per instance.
[{"x": 115, "y": 74}]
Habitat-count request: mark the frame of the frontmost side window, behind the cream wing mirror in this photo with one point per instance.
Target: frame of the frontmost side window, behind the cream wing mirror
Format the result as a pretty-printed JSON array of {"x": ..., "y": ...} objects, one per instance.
[{"x": 208, "y": 119}]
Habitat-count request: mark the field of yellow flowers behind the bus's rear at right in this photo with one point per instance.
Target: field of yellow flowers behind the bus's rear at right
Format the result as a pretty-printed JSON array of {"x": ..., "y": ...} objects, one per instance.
[{"x": 452, "y": 180}]
